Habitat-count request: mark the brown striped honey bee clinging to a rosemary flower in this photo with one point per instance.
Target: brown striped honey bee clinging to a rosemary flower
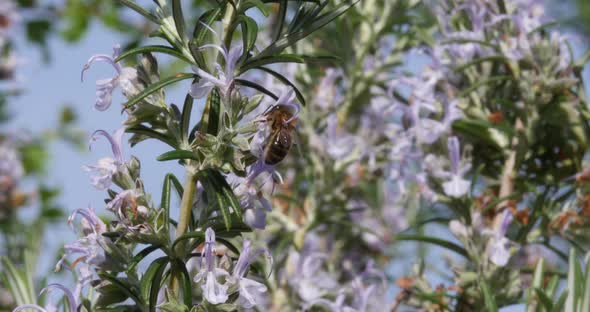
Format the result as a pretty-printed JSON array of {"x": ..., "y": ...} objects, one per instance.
[{"x": 282, "y": 121}]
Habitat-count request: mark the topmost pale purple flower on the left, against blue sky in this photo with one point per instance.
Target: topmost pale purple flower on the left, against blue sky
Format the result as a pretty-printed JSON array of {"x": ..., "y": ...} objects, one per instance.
[{"x": 126, "y": 78}]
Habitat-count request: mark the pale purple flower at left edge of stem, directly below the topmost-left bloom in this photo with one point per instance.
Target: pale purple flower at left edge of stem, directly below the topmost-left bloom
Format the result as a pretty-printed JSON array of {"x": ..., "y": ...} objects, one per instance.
[{"x": 108, "y": 167}]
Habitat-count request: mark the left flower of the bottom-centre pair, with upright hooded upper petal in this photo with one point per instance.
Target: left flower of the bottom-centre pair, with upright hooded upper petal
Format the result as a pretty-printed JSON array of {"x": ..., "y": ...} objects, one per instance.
[{"x": 214, "y": 291}]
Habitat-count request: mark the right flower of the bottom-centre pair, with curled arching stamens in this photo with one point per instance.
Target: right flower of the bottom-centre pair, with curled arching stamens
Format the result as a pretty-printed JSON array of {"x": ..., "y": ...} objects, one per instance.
[{"x": 250, "y": 290}]
